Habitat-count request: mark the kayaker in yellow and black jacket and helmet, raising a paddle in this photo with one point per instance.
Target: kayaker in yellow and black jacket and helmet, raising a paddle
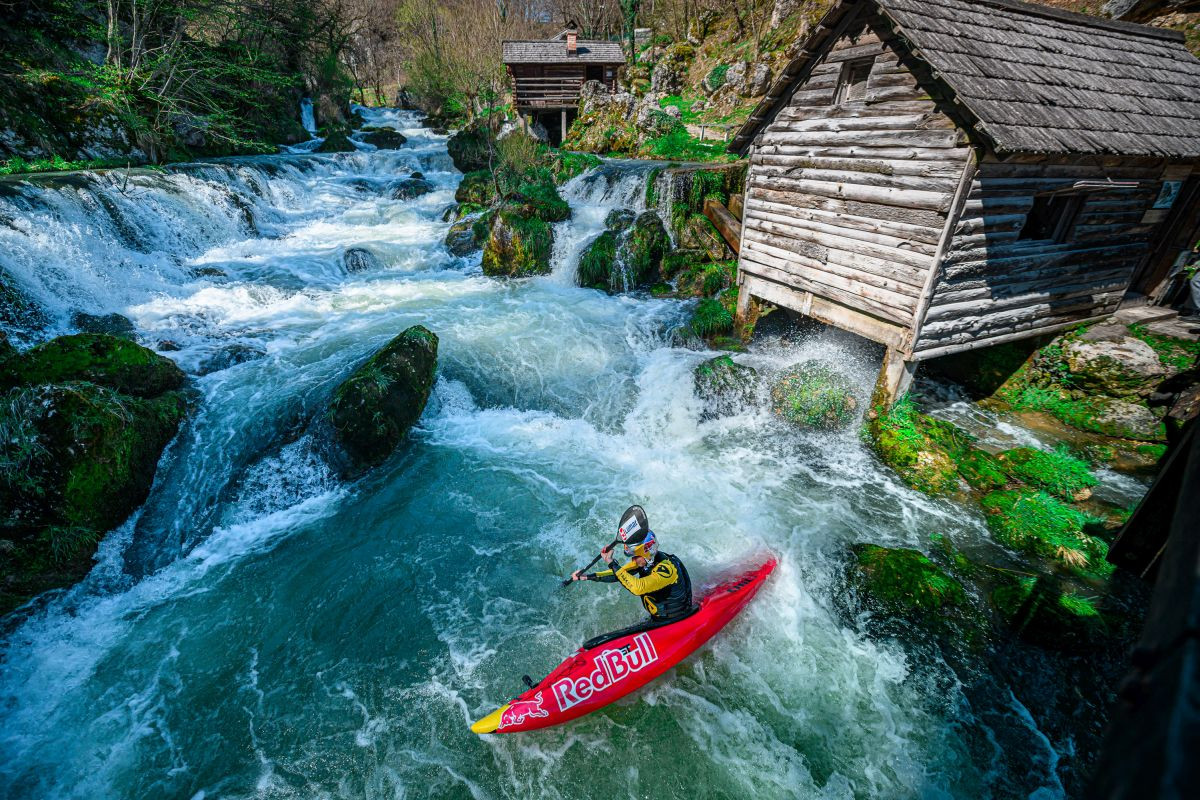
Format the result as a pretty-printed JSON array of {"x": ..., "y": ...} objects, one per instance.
[{"x": 659, "y": 579}]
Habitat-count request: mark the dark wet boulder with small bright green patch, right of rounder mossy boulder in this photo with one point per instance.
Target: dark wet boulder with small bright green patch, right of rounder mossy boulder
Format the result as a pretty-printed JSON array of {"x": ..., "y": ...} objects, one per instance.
[{"x": 1048, "y": 613}]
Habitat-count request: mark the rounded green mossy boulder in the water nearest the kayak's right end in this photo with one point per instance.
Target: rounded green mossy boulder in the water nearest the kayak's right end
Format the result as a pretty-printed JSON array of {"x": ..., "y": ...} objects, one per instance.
[{"x": 903, "y": 584}]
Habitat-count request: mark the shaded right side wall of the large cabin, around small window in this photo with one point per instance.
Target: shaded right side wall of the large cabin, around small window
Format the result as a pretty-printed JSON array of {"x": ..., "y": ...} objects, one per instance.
[{"x": 995, "y": 286}]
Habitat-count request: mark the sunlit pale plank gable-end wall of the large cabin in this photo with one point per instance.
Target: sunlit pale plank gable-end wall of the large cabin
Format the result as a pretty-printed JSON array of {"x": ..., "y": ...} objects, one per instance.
[{"x": 849, "y": 202}]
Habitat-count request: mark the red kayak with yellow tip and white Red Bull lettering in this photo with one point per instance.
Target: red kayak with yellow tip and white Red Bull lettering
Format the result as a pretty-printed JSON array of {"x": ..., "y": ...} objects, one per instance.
[{"x": 603, "y": 673}]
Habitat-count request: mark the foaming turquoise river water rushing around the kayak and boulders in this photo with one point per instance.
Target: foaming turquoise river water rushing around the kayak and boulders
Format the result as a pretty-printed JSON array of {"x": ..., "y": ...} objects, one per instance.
[{"x": 262, "y": 630}]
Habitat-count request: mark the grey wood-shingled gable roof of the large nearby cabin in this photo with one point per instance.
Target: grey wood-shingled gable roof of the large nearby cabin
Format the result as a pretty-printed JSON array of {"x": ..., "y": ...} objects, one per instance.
[{"x": 1034, "y": 80}]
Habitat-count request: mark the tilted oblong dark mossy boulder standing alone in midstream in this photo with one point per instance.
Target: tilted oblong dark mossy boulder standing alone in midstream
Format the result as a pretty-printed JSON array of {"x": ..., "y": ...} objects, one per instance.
[{"x": 374, "y": 410}]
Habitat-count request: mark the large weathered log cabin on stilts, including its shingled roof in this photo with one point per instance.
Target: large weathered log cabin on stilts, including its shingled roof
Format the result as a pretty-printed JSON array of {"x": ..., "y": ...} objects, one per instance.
[{"x": 941, "y": 176}]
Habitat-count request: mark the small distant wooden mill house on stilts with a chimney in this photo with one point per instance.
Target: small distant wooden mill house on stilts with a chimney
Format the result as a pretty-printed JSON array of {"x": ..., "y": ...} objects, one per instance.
[{"x": 548, "y": 76}]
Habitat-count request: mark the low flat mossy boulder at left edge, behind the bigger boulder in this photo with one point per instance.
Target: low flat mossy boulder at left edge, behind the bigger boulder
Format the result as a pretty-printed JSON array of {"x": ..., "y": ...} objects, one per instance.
[{"x": 105, "y": 360}]
